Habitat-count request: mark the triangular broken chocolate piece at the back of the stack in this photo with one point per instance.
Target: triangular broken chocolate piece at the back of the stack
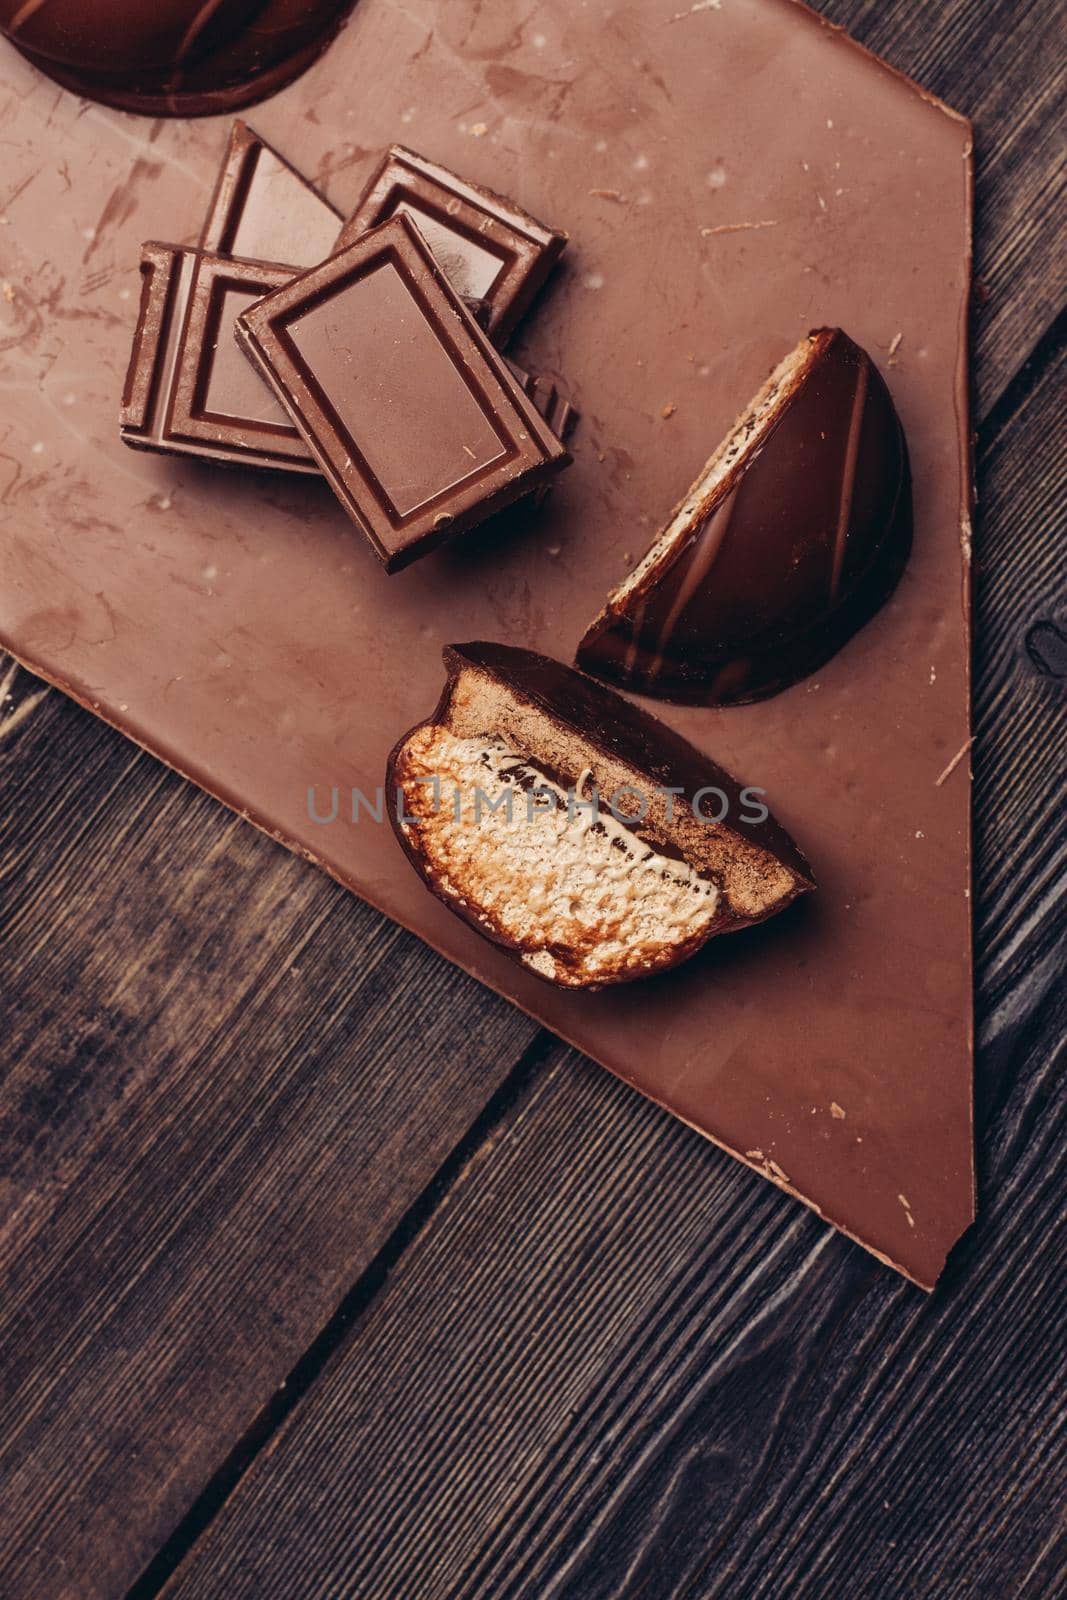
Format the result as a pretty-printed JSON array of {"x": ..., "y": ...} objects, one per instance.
[{"x": 263, "y": 210}]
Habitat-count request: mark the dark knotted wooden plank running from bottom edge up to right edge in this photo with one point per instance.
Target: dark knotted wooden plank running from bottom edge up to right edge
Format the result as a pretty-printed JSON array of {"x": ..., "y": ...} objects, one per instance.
[{"x": 613, "y": 1367}]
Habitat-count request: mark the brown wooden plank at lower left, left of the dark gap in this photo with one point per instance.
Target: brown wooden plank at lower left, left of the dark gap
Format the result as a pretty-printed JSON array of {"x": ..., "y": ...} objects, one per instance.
[{"x": 225, "y": 1082}]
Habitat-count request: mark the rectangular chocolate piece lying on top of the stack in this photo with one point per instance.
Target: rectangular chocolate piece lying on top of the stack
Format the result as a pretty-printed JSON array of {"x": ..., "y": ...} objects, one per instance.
[{"x": 414, "y": 417}]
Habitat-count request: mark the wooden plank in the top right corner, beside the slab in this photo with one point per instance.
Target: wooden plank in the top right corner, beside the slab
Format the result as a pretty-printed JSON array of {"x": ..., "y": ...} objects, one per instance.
[{"x": 999, "y": 63}]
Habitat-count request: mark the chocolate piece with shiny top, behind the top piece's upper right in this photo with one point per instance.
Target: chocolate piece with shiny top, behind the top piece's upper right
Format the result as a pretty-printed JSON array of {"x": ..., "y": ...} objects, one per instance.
[{"x": 489, "y": 247}]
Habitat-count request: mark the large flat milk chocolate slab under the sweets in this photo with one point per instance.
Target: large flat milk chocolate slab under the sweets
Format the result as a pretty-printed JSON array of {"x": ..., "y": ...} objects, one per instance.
[{"x": 231, "y": 622}]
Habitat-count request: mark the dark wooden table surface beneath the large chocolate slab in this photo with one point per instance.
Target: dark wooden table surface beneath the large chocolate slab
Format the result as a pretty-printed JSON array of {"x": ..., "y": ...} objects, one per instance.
[{"x": 327, "y": 1274}]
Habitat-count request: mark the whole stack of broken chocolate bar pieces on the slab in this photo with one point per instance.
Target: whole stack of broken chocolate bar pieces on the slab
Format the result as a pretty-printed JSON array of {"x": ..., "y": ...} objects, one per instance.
[{"x": 369, "y": 351}]
